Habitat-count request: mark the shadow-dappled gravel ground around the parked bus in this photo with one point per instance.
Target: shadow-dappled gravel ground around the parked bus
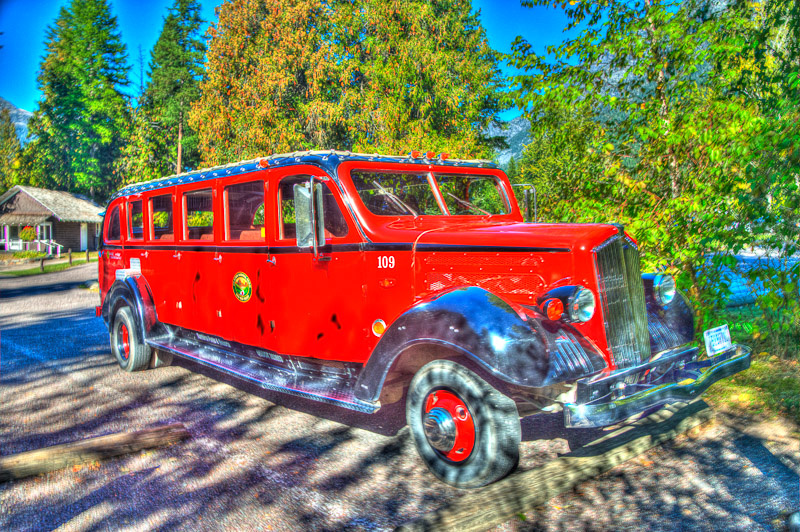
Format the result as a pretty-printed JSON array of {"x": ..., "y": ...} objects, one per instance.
[{"x": 253, "y": 465}]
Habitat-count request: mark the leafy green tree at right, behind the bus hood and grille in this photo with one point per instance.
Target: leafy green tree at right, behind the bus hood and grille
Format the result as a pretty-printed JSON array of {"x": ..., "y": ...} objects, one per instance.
[{"x": 645, "y": 118}]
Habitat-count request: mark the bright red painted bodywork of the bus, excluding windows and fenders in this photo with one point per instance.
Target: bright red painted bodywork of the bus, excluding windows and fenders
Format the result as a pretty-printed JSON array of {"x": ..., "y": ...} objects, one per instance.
[{"x": 325, "y": 308}]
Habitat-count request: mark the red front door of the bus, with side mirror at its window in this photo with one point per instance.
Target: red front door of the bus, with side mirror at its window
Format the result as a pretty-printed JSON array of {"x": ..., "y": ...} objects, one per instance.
[{"x": 314, "y": 307}]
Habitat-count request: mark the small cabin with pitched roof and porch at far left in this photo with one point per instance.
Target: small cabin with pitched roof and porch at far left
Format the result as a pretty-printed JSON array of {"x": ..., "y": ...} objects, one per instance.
[{"x": 57, "y": 220}]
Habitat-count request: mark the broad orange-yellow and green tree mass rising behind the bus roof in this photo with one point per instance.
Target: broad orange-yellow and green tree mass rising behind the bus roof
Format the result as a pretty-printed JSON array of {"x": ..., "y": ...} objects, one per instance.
[{"x": 367, "y": 75}]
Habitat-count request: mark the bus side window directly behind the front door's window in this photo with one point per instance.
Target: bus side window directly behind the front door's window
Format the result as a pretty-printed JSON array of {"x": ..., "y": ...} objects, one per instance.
[{"x": 245, "y": 209}]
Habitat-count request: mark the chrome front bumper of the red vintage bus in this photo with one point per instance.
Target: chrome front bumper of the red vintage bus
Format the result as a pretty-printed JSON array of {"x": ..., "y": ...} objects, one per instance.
[{"x": 675, "y": 376}]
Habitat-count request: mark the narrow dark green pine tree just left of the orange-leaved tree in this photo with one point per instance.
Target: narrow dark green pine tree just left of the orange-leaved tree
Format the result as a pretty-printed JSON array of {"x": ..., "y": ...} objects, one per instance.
[{"x": 176, "y": 68}]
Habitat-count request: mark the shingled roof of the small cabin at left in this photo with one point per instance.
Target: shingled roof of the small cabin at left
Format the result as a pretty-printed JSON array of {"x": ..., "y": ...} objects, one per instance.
[{"x": 65, "y": 207}]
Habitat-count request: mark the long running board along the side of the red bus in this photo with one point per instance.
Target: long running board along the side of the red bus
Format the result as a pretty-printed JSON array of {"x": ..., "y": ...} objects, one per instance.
[{"x": 329, "y": 389}]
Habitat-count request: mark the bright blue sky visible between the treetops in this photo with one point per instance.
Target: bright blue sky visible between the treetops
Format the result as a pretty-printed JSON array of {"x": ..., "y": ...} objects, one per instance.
[{"x": 23, "y": 24}]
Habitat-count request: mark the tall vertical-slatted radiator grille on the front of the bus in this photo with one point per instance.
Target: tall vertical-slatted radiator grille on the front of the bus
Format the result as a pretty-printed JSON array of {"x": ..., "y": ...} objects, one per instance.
[{"x": 622, "y": 297}]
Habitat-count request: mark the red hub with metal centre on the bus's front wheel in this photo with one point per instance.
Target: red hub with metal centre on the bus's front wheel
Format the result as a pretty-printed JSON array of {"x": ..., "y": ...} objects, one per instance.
[{"x": 447, "y": 410}]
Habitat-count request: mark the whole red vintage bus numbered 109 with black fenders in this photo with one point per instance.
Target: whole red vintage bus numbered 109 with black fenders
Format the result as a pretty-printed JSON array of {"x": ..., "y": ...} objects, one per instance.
[{"x": 357, "y": 280}]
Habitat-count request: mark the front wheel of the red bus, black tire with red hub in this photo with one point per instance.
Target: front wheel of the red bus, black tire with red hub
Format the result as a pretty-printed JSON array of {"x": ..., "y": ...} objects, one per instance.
[{"x": 494, "y": 418}]
